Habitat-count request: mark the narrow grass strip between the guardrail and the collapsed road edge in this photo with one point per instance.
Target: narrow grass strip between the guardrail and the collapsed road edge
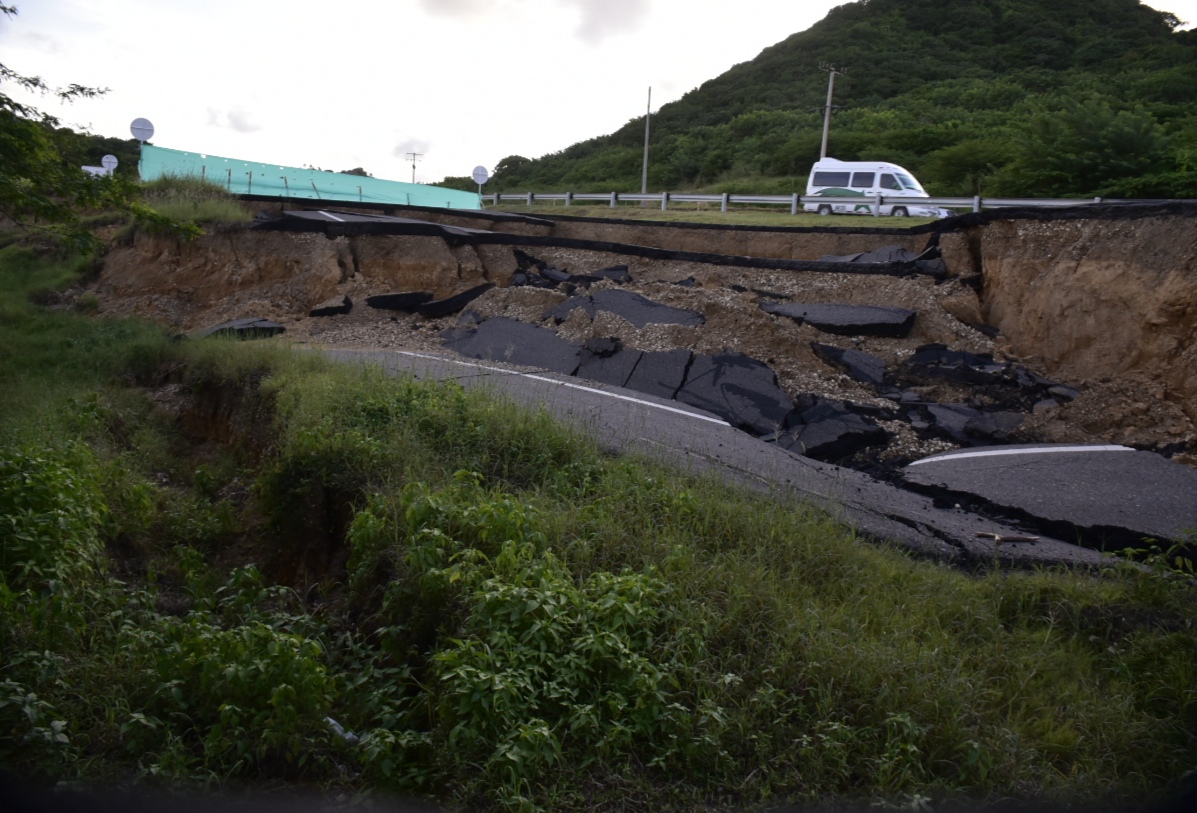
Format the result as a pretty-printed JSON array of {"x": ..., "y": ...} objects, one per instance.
[{"x": 738, "y": 216}]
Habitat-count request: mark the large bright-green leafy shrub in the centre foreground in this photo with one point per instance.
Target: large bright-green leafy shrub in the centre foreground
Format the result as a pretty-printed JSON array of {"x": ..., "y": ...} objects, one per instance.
[{"x": 530, "y": 662}]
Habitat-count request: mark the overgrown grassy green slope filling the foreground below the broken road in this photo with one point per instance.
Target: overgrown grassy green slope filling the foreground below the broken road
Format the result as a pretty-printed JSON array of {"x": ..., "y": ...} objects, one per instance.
[{"x": 506, "y": 617}]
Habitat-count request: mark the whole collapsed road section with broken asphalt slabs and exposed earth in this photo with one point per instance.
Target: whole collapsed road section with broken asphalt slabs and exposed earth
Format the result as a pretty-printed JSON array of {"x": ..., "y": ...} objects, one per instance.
[{"x": 872, "y": 372}]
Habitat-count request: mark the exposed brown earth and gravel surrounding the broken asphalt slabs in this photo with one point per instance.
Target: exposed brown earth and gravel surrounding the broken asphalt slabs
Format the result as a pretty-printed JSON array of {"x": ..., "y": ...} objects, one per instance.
[{"x": 1107, "y": 304}]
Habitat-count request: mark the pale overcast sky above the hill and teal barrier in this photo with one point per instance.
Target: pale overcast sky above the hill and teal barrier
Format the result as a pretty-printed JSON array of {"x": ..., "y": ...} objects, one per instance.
[{"x": 362, "y": 83}]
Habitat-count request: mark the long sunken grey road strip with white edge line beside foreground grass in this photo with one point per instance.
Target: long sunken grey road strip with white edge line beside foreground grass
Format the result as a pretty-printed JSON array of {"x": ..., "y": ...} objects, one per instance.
[{"x": 691, "y": 440}]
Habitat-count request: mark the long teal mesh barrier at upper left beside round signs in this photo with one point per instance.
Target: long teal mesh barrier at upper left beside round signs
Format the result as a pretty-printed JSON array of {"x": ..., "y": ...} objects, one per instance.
[{"x": 247, "y": 178}]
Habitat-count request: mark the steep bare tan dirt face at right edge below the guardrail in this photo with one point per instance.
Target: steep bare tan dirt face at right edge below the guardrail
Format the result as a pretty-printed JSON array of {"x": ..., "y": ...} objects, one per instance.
[{"x": 1107, "y": 302}]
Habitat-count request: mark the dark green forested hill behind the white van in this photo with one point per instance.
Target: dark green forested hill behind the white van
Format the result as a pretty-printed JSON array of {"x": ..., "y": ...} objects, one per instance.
[{"x": 1013, "y": 98}]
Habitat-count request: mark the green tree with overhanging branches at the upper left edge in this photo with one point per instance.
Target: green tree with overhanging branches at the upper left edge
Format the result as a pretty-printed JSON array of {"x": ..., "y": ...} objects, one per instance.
[{"x": 40, "y": 189}]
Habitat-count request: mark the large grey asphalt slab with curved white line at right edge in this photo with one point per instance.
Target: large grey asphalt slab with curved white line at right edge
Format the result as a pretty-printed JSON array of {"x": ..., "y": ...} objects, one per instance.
[{"x": 1110, "y": 497}]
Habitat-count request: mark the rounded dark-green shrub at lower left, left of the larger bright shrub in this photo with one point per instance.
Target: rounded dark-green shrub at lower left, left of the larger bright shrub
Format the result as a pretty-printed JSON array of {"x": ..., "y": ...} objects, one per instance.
[{"x": 232, "y": 690}]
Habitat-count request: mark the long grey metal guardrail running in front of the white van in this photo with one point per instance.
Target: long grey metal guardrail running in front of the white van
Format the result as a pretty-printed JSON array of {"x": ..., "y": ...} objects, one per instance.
[{"x": 797, "y": 203}]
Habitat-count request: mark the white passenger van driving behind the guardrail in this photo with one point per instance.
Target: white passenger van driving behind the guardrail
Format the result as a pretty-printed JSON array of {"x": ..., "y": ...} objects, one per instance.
[{"x": 867, "y": 179}]
